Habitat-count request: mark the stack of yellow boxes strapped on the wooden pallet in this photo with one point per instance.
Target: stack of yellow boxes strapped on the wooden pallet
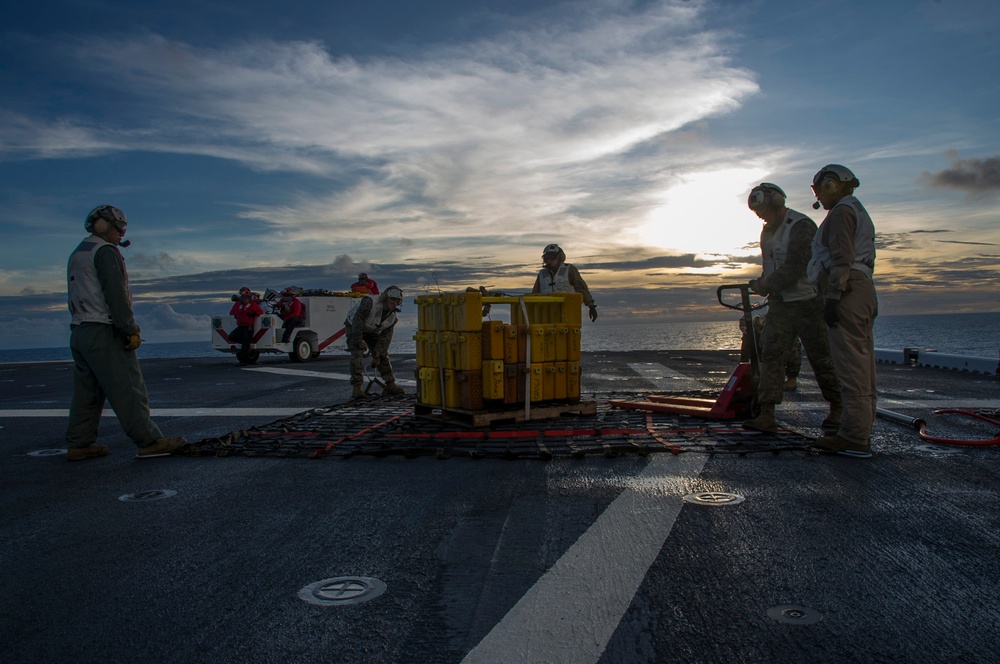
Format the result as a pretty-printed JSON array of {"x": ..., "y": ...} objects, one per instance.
[{"x": 466, "y": 362}]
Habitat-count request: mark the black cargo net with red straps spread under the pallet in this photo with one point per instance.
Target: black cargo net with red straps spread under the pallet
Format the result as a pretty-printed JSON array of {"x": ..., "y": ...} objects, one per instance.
[{"x": 390, "y": 426}]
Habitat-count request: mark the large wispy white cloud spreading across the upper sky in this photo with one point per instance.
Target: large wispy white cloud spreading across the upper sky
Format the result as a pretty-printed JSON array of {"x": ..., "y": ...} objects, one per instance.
[{"x": 528, "y": 127}]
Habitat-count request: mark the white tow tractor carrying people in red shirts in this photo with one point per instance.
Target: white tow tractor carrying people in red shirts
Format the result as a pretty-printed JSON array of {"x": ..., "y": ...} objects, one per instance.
[{"x": 322, "y": 329}]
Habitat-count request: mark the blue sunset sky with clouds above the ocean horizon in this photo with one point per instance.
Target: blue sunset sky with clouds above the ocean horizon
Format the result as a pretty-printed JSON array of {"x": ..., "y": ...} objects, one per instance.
[{"x": 442, "y": 145}]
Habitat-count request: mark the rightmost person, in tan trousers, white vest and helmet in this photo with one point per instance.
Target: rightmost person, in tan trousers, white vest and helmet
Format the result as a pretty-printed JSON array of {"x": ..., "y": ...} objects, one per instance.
[{"x": 842, "y": 265}]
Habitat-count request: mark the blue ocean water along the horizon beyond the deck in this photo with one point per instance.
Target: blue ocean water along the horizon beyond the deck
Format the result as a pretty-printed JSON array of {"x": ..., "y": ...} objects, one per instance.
[{"x": 976, "y": 335}]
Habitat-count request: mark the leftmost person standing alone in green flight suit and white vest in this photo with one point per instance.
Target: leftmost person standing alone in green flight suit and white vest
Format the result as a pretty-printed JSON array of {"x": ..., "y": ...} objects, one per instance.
[{"x": 103, "y": 340}]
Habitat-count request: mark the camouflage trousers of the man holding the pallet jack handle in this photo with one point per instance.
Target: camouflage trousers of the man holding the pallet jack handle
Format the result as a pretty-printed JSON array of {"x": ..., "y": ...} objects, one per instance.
[{"x": 785, "y": 322}]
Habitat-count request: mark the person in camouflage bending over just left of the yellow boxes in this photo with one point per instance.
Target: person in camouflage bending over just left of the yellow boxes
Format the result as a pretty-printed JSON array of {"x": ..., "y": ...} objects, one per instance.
[{"x": 369, "y": 327}]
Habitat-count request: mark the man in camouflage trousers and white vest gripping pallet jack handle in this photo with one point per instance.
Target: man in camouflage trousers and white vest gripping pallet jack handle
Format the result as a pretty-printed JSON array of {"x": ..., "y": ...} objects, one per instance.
[{"x": 794, "y": 308}]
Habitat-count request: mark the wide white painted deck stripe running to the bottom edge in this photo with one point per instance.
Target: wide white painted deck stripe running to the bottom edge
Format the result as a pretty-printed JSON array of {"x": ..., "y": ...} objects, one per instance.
[{"x": 572, "y": 611}]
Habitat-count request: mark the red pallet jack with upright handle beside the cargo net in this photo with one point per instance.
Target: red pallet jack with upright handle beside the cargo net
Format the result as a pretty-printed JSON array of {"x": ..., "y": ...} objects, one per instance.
[{"x": 738, "y": 398}]
